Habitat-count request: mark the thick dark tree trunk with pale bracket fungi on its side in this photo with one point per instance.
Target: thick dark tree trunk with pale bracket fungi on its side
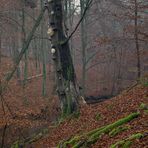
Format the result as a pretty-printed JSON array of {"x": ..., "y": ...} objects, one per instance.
[{"x": 65, "y": 74}]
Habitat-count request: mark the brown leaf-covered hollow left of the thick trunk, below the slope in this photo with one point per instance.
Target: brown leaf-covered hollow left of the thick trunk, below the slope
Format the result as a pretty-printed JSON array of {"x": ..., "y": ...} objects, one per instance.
[{"x": 23, "y": 110}]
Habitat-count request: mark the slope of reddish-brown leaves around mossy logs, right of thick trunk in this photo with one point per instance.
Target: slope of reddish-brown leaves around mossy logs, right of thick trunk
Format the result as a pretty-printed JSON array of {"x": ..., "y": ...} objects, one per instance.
[{"x": 94, "y": 116}]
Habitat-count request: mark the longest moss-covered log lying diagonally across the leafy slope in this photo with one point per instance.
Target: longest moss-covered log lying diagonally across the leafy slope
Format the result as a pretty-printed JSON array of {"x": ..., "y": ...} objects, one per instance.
[{"x": 91, "y": 137}]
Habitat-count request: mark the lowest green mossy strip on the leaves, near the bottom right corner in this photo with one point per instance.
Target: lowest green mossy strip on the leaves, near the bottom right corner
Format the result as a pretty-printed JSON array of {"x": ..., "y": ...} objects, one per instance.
[{"x": 127, "y": 142}]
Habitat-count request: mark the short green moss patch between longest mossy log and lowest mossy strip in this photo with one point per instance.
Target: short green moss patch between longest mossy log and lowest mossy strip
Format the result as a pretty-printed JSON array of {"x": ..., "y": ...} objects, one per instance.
[{"x": 118, "y": 130}]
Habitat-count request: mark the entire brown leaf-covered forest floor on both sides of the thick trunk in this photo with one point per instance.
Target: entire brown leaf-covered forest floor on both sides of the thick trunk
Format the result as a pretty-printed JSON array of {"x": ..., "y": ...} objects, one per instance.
[{"x": 29, "y": 117}]
